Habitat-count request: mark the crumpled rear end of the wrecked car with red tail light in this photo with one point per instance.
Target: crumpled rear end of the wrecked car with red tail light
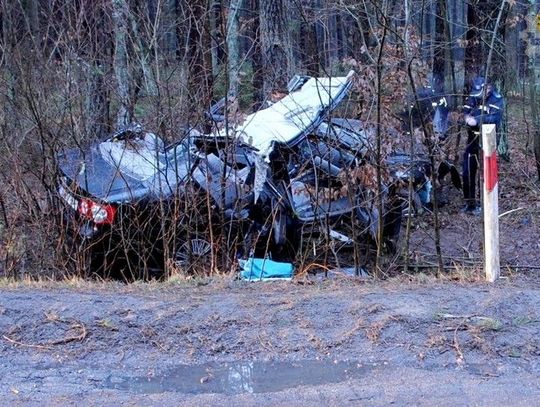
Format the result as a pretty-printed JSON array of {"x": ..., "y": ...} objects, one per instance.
[{"x": 132, "y": 202}]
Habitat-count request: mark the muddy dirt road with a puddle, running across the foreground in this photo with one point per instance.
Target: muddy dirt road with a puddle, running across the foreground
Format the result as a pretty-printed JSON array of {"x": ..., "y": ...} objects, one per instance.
[{"x": 230, "y": 343}]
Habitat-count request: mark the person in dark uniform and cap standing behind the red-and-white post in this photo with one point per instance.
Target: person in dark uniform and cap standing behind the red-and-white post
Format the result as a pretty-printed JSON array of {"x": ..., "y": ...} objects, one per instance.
[{"x": 484, "y": 105}]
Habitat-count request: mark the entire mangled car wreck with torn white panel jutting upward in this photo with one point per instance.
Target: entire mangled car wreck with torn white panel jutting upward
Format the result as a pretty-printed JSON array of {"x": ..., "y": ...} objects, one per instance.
[{"x": 290, "y": 177}]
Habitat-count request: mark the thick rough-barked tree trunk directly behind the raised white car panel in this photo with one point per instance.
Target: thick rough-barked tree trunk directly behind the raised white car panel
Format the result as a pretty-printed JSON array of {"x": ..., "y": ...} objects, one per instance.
[{"x": 276, "y": 45}]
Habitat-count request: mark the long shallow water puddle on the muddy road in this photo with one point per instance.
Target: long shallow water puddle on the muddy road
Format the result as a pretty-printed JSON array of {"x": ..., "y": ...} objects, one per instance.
[{"x": 243, "y": 377}]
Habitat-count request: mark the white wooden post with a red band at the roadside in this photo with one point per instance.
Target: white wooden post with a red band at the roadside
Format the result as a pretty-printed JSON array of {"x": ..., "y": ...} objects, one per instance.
[{"x": 491, "y": 203}]
